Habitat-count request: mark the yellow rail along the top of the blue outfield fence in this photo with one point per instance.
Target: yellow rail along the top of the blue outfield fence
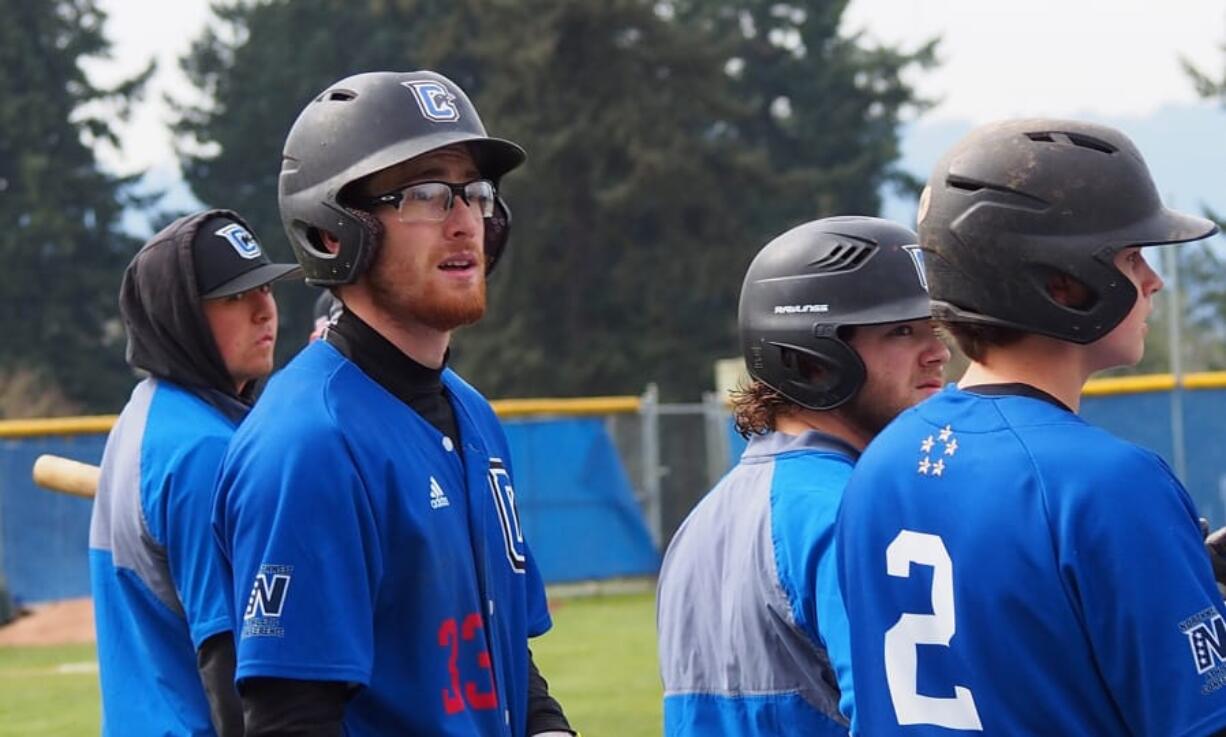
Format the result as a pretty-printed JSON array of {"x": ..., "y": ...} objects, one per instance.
[{"x": 601, "y": 405}]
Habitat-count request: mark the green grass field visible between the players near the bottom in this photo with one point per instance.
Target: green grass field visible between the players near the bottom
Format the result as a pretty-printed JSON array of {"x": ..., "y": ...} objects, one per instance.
[{"x": 600, "y": 660}]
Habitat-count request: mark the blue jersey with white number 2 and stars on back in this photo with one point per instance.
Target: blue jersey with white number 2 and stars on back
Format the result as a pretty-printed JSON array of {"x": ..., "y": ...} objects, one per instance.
[{"x": 1012, "y": 570}]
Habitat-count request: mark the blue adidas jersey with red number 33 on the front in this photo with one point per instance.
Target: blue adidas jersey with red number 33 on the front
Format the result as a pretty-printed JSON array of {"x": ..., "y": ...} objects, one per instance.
[{"x": 367, "y": 549}]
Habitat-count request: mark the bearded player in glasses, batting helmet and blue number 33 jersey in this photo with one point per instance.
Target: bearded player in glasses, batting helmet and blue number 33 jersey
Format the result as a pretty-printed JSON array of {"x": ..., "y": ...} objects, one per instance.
[{"x": 367, "y": 508}]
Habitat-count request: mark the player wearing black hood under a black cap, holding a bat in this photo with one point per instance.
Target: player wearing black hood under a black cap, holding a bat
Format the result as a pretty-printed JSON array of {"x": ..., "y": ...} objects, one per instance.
[{"x": 202, "y": 322}]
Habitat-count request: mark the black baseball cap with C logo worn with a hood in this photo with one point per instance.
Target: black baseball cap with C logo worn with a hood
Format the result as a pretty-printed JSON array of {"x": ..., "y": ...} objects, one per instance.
[{"x": 230, "y": 261}]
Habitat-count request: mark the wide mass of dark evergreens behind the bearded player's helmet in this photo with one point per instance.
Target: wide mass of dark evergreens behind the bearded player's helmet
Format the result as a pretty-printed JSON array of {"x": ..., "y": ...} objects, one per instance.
[{"x": 666, "y": 144}]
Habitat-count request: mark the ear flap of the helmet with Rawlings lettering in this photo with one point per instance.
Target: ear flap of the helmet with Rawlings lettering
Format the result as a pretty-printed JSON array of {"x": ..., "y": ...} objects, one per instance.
[{"x": 822, "y": 376}]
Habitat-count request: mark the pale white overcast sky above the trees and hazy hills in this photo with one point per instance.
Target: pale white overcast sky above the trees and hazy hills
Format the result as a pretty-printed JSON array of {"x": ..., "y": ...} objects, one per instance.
[{"x": 1099, "y": 58}]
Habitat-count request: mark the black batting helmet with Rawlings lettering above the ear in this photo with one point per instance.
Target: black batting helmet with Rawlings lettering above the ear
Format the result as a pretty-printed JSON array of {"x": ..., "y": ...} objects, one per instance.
[{"x": 811, "y": 281}]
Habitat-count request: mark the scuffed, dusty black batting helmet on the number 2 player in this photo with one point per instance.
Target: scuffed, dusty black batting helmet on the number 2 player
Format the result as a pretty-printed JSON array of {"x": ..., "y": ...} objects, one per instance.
[{"x": 1017, "y": 203}]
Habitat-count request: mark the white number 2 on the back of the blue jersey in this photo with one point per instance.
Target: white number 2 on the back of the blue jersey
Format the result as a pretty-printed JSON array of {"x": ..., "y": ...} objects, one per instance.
[{"x": 910, "y": 707}]
